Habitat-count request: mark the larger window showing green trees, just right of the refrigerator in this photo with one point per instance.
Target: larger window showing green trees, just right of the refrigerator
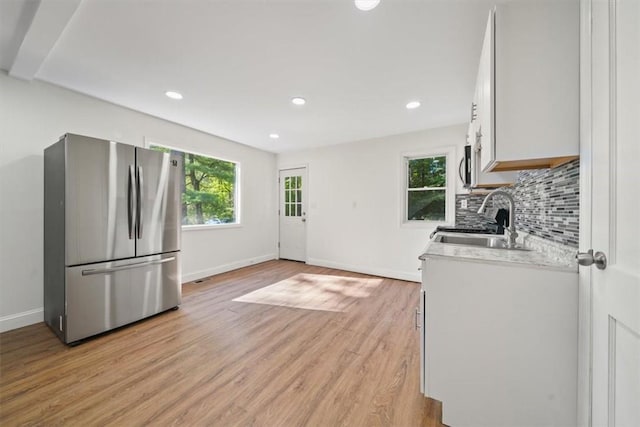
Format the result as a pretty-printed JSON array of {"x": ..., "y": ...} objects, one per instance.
[{"x": 209, "y": 189}]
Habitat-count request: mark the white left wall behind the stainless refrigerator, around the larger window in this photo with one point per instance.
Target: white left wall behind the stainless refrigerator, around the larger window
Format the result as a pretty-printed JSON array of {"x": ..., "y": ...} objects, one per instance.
[{"x": 34, "y": 115}]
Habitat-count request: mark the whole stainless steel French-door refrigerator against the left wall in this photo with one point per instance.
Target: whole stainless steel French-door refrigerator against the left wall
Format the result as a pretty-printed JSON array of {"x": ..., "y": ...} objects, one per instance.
[{"x": 112, "y": 221}]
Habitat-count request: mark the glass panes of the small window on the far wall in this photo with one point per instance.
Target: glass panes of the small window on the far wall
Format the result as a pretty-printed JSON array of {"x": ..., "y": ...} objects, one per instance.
[{"x": 426, "y": 187}]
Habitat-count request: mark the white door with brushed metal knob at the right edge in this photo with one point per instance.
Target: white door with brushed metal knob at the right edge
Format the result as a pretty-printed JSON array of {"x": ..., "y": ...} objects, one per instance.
[{"x": 614, "y": 95}]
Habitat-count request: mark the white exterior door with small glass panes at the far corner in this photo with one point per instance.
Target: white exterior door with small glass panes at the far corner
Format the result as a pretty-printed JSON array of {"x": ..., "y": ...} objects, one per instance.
[{"x": 293, "y": 214}]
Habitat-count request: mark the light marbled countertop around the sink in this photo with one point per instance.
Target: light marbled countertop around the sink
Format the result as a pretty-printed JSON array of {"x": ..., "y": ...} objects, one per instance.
[{"x": 543, "y": 253}]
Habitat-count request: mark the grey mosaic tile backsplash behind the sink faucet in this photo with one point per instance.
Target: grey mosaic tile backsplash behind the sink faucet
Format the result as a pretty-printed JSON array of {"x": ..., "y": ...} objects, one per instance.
[{"x": 547, "y": 204}]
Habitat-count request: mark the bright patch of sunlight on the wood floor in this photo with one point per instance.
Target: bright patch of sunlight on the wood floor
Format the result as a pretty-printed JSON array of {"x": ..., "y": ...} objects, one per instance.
[{"x": 314, "y": 292}]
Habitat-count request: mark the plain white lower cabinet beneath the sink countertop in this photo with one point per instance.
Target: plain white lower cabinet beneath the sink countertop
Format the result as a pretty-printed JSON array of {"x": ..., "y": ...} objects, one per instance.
[{"x": 500, "y": 343}]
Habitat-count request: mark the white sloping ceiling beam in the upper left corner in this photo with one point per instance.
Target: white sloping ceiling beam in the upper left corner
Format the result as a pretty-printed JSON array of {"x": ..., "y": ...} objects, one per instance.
[{"x": 49, "y": 21}]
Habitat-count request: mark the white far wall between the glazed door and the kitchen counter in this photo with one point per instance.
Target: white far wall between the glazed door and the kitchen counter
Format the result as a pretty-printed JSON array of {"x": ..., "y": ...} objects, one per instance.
[{"x": 355, "y": 202}]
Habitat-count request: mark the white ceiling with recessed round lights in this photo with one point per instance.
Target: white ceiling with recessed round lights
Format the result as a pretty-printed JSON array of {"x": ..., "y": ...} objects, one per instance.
[{"x": 239, "y": 62}]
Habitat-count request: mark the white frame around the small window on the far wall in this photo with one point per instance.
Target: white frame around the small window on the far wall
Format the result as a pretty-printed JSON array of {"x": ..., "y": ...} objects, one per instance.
[{"x": 450, "y": 190}]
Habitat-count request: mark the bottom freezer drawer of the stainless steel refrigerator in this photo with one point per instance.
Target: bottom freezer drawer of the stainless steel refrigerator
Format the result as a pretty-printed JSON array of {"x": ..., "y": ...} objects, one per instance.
[{"x": 104, "y": 296}]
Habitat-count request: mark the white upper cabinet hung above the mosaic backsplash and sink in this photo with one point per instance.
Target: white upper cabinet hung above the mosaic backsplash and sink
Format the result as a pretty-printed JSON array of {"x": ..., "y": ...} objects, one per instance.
[{"x": 528, "y": 86}]
